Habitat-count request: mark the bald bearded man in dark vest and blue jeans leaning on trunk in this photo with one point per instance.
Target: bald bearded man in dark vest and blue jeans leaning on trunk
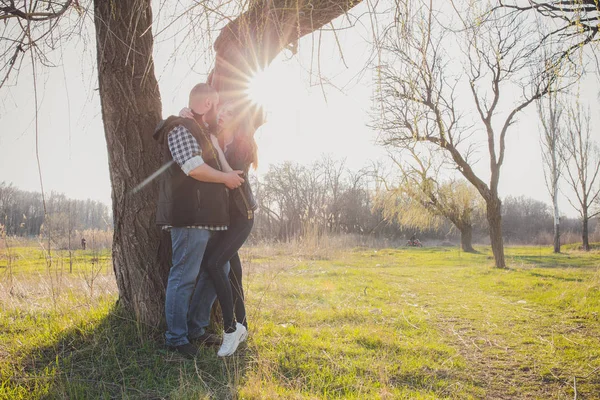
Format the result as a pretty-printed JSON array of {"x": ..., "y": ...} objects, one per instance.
[{"x": 193, "y": 204}]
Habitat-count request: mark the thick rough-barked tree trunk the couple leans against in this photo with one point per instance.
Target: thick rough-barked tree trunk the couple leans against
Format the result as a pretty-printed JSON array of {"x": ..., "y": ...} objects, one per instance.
[{"x": 131, "y": 108}]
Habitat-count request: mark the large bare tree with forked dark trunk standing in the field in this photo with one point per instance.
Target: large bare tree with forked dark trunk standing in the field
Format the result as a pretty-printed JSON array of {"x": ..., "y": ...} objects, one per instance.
[{"x": 418, "y": 94}]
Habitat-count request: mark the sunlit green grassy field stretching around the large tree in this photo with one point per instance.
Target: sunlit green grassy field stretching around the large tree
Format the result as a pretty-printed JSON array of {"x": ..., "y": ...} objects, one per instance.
[{"x": 360, "y": 323}]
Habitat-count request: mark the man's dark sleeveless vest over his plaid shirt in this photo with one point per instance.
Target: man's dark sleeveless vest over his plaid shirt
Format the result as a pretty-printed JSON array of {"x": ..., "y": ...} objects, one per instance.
[{"x": 183, "y": 200}]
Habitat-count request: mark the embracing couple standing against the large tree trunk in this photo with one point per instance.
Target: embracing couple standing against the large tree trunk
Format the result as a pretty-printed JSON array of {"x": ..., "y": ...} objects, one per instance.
[{"x": 206, "y": 204}]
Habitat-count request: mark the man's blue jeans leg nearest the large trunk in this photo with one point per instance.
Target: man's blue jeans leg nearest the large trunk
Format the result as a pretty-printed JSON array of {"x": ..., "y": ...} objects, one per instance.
[{"x": 189, "y": 246}]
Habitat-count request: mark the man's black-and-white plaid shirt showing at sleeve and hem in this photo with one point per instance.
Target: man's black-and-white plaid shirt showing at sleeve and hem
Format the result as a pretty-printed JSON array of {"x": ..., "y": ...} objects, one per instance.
[{"x": 187, "y": 154}]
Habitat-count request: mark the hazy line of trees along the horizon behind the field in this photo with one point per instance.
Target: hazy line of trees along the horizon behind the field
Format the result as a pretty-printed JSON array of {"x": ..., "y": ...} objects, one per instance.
[{"x": 299, "y": 201}]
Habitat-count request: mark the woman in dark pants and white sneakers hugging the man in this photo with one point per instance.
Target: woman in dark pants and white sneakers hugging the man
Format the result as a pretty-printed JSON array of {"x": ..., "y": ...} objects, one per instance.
[{"x": 237, "y": 151}]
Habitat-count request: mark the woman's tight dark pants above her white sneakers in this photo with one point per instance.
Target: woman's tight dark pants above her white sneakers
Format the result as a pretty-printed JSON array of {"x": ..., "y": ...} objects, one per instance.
[{"x": 223, "y": 247}]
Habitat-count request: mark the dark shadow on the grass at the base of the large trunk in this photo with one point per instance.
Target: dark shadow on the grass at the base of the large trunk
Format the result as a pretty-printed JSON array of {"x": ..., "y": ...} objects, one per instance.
[{"x": 112, "y": 358}]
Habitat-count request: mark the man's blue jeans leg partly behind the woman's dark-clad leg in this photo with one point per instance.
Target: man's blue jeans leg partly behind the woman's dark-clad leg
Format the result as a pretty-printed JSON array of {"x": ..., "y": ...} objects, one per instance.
[{"x": 204, "y": 296}]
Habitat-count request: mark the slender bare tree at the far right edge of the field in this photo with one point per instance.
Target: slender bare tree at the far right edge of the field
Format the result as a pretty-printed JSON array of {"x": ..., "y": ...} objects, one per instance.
[{"x": 581, "y": 156}]
